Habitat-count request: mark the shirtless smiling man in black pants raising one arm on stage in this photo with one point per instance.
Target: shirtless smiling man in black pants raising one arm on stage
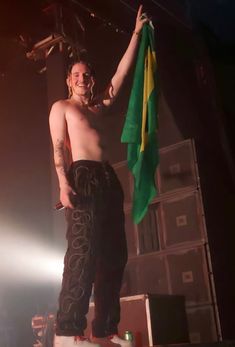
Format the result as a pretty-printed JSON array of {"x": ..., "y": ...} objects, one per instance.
[{"x": 93, "y": 198}]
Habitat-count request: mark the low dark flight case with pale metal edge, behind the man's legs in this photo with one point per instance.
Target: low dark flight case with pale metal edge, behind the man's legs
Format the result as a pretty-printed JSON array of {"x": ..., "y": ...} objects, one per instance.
[{"x": 152, "y": 319}]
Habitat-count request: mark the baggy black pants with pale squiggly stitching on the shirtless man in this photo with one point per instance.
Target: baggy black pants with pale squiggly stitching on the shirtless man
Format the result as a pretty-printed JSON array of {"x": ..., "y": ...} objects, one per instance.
[{"x": 96, "y": 253}]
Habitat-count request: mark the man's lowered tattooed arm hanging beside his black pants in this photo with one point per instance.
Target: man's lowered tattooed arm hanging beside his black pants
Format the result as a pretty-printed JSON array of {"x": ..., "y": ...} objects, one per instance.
[{"x": 58, "y": 134}]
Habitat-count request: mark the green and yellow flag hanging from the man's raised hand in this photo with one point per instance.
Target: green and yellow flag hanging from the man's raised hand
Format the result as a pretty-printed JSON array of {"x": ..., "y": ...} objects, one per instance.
[{"x": 140, "y": 128}]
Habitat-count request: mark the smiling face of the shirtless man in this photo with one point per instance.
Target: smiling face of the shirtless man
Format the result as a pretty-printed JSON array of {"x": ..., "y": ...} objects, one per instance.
[{"x": 80, "y": 80}]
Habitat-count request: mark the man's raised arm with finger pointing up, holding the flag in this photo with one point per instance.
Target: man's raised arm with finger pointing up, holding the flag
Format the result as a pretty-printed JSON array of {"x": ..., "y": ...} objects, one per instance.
[{"x": 127, "y": 59}]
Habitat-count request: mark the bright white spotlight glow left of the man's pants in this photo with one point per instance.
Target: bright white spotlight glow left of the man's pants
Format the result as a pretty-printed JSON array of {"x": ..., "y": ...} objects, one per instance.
[{"x": 28, "y": 259}]
